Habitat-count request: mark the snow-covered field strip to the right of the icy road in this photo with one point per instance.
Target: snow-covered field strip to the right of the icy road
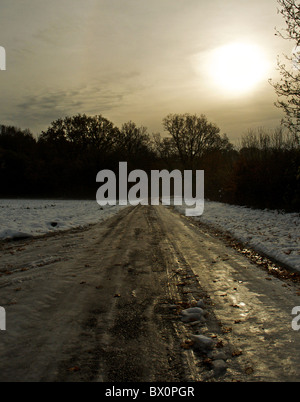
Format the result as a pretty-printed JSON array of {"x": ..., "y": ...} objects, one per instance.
[{"x": 274, "y": 233}]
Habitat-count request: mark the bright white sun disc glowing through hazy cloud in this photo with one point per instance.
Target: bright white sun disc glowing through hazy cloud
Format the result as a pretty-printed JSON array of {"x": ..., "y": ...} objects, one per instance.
[{"x": 237, "y": 68}]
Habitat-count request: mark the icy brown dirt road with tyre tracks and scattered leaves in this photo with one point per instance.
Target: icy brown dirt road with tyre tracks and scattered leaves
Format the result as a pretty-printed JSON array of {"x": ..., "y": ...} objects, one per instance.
[{"x": 105, "y": 304}]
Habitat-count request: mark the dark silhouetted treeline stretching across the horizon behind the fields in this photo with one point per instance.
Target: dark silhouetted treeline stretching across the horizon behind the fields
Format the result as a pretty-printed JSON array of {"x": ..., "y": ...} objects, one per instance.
[{"x": 263, "y": 171}]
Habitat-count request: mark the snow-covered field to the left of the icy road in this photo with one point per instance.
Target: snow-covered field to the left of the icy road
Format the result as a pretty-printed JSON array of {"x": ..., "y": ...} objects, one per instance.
[{"x": 19, "y": 218}]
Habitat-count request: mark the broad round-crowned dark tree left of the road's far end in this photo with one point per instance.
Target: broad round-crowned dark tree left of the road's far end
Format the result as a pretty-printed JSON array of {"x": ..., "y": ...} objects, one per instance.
[{"x": 74, "y": 149}]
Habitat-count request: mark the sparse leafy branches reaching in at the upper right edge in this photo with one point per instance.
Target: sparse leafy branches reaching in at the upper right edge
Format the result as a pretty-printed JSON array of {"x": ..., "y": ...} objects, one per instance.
[{"x": 288, "y": 88}]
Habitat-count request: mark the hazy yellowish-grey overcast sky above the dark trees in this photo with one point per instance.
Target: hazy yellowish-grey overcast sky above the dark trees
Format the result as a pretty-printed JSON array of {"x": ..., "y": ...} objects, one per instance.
[{"x": 136, "y": 60}]
